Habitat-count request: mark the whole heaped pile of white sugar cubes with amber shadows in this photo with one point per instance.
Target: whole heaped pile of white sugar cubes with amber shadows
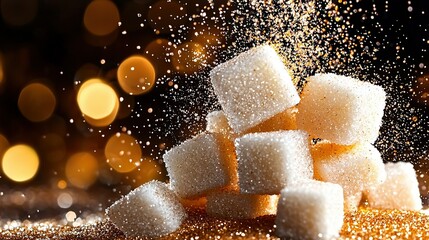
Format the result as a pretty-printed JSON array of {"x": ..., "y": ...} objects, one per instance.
[{"x": 307, "y": 158}]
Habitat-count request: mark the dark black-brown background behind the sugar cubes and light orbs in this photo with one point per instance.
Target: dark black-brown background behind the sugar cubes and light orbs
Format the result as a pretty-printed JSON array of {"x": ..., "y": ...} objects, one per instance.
[{"x": 54, "y": 45}]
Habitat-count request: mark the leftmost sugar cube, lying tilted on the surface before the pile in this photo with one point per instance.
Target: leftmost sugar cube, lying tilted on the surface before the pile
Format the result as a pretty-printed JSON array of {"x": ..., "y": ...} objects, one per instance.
[{"x": 150, "y": 210}]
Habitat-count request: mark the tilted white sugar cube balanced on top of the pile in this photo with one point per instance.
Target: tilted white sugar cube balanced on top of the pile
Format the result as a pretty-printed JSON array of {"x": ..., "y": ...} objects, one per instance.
[{"x": 253, "y": 87}]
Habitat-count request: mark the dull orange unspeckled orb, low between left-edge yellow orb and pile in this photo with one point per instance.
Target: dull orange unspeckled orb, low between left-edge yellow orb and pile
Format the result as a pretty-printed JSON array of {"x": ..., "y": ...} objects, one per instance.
[{"x": 82, "y": 170}]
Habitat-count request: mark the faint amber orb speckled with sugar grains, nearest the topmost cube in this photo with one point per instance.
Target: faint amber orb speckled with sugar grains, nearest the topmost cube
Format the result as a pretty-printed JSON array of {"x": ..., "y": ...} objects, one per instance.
[{"x": 189, "y": 58}]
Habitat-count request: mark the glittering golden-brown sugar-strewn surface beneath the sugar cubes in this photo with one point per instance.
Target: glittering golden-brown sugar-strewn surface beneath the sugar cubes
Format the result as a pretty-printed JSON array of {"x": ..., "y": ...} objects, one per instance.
[{"x": 363, "y": 224}]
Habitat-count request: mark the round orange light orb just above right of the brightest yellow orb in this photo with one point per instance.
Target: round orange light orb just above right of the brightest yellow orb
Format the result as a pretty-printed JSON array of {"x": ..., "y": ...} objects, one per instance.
[{"x": 136, "y": 75}]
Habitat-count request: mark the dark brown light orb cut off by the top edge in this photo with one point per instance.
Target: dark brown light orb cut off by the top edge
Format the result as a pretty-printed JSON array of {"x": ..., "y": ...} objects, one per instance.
[{"x": 101, "y": 17}]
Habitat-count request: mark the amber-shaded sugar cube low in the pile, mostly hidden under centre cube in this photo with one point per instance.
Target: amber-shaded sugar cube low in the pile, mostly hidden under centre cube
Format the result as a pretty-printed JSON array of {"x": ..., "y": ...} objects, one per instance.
[{"x": 229, "y": 204}]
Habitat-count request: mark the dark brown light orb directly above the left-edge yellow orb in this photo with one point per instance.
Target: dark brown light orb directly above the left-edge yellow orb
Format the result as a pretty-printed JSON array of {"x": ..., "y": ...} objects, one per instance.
[{"x": 36, "y": 102}]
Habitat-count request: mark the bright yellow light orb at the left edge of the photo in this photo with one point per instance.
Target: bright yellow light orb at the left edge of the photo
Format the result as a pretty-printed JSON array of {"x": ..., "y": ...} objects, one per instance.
[{"x": 20, "y": 163}]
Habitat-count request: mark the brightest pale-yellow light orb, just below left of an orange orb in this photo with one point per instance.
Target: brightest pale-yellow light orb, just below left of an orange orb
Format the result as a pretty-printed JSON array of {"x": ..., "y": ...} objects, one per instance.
[{"x": 97, "y": 101}]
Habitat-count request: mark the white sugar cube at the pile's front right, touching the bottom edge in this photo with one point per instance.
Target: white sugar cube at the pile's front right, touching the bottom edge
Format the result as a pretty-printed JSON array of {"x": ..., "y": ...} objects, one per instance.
[{"x": 310, "y": 210}]
